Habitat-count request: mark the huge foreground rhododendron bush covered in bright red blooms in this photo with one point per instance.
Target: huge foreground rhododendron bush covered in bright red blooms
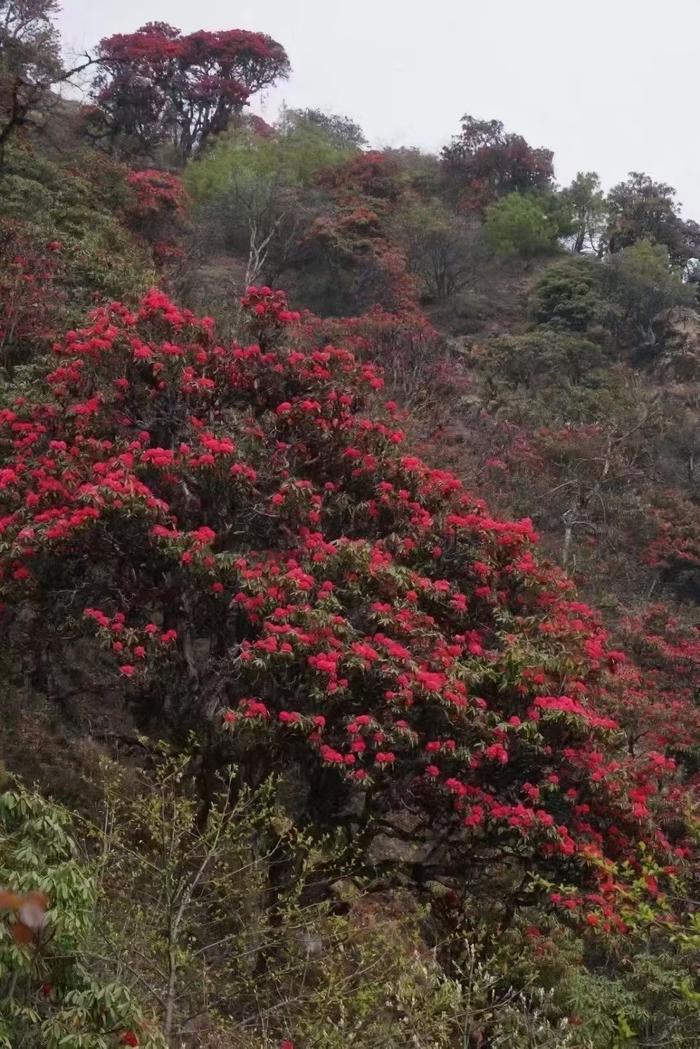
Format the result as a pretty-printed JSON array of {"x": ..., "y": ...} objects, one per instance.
[{"x": 254, "y": 555}]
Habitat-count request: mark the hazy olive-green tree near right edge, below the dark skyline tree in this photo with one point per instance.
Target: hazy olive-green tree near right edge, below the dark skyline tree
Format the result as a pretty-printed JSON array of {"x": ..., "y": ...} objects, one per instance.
[{"x": 644, "y": 286}]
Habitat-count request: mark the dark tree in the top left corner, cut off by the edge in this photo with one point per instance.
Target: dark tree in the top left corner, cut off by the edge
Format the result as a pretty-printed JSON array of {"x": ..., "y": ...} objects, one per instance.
[{"x": 30, "y": 60}]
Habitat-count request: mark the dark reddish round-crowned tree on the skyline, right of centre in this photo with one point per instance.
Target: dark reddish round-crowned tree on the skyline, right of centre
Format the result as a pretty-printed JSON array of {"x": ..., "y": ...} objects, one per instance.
[{"x": 484, "y": 163}]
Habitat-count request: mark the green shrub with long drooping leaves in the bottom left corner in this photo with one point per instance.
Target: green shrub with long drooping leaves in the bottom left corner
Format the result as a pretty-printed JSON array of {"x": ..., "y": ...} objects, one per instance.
[{"x": 56, "y": 996}]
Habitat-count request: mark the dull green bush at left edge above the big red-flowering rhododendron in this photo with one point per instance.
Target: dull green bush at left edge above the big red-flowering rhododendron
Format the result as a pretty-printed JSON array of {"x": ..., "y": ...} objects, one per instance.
[{"x": 65, "y": 247}]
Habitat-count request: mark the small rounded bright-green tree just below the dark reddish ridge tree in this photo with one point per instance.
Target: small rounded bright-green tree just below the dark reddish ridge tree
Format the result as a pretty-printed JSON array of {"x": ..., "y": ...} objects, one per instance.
[{"x": 524, "y": 224}]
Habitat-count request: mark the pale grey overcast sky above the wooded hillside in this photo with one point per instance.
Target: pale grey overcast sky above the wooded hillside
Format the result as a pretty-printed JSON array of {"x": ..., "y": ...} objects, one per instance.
[{"x": 610, "y": 85}]
